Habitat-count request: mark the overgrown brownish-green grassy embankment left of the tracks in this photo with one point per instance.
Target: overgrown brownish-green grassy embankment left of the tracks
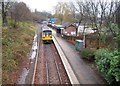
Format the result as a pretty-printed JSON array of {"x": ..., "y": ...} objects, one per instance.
[{"x": 16, "y": 45}]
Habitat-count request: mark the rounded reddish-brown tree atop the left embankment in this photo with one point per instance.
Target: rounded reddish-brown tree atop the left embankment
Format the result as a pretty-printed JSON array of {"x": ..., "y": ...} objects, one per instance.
[{"x": 20, "y": 12}]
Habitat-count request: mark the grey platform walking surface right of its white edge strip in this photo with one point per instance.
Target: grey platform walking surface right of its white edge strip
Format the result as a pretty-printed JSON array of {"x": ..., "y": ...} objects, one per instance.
[{"x": 83, "y": 72}]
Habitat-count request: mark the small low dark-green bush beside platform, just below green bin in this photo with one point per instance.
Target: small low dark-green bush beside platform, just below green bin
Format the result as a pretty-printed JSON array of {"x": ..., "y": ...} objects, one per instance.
[{"x": 87, "y": 53}]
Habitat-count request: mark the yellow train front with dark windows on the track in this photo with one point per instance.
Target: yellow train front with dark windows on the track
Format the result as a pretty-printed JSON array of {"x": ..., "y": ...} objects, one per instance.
[{"x": 47, "y": 36}]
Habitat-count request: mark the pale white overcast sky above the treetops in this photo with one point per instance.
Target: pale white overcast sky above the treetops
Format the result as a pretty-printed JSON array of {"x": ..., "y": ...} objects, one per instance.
[{"x": 43, "y": 5}]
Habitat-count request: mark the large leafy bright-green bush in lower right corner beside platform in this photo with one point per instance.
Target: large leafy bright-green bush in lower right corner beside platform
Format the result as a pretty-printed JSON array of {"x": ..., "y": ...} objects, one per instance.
[{"x": 108, "y": 64}]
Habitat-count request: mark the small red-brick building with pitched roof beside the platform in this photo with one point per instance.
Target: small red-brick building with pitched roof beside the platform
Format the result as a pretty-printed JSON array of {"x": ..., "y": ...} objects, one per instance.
[{"x": 70, "y": 30}]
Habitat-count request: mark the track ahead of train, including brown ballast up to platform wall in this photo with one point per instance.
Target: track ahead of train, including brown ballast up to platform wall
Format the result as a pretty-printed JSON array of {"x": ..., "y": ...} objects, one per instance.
[{"x": 55, "y": 68}]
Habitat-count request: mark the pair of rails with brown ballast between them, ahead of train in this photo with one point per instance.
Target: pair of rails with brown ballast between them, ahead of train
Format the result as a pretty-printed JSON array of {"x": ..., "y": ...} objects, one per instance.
[{"x": 52, "y": 67}]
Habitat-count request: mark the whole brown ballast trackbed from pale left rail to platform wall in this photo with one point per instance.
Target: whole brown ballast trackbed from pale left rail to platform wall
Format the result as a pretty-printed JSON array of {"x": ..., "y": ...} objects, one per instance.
[{"x": 49, "y": 68}]
